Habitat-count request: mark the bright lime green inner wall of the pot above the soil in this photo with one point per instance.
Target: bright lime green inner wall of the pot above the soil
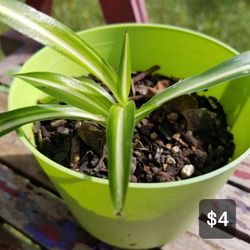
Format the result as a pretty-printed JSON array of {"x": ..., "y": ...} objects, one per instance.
[{"x": 180, "y": 53}]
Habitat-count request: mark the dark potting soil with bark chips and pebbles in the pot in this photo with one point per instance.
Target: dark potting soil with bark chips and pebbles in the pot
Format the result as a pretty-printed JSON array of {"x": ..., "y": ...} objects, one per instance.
[{"x": 184, "y": 138}]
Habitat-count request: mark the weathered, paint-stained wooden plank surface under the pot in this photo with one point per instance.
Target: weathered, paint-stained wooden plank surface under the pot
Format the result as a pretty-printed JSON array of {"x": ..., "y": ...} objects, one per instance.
[{"x": 32, "y": 215}]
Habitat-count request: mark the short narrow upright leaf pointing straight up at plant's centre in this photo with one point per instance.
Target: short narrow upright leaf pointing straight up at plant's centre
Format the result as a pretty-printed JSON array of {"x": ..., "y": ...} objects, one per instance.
[{"x": 124, "y": 76}]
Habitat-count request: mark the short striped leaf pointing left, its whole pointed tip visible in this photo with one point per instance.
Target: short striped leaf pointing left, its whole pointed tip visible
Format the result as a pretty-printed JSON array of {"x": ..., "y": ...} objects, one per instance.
[{"x": 86, "y": 95}]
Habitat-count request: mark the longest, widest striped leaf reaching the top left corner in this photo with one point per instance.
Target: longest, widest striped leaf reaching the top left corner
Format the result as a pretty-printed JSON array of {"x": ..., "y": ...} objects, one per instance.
[{"x": 54, "y": 34}]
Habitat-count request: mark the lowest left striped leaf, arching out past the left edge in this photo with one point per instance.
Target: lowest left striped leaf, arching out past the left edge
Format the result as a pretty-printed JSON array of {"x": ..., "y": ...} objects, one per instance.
[{"x": 15, "y": 118}]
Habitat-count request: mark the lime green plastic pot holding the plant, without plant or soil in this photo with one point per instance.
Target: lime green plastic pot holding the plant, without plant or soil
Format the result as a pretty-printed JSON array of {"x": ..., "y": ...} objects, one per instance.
[{"x": 159, "y": 212}]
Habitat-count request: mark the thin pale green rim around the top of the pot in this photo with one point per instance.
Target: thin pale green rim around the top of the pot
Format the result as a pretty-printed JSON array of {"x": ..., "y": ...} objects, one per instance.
[{"x": 82, "y": 176}]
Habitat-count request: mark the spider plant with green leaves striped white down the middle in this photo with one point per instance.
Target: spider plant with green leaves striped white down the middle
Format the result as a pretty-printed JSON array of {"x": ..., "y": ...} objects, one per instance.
[{"x": 86, "y": 99}]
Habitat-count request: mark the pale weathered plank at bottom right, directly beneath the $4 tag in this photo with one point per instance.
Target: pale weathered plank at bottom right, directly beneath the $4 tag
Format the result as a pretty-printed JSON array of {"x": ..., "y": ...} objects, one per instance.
[{"x": 191, "y": 240}]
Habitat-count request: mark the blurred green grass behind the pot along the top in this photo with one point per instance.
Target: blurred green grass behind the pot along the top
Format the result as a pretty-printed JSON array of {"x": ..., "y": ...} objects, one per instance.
[{"x": 227, "y": 20}]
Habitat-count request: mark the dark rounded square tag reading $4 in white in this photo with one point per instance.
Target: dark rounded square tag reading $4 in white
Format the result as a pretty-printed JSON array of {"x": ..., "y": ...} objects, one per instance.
[{"x": 217, "y": 219}]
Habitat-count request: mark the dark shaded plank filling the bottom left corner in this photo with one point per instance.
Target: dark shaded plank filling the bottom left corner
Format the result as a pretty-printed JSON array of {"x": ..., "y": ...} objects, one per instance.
[{"x": 9, "y": 240}]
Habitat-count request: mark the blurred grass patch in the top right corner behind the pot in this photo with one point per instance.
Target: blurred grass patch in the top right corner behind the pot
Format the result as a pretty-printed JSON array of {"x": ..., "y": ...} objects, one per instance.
[{"x": 226, "y": 20}]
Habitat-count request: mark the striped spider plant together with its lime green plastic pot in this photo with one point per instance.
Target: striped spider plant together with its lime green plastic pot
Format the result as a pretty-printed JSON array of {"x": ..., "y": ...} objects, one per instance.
[{"x": 154, "y": 213}]
